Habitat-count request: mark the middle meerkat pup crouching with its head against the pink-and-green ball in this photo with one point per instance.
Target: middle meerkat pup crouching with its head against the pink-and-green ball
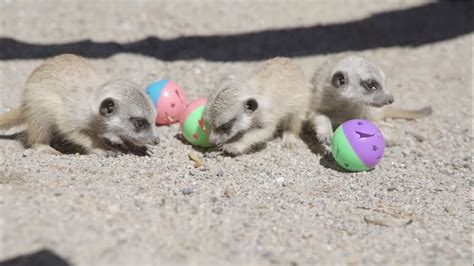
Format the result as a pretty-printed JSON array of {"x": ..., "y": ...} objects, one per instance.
[{"x": 244, "y": 114}]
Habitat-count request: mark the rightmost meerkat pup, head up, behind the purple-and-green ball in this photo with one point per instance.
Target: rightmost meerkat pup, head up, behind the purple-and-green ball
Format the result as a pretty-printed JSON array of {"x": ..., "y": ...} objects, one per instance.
[{"x": 348, "y": 88}]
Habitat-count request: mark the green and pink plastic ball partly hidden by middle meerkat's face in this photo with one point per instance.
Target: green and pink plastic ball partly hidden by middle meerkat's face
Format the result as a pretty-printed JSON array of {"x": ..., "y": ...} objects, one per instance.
[{"x": 195, "y": 130}]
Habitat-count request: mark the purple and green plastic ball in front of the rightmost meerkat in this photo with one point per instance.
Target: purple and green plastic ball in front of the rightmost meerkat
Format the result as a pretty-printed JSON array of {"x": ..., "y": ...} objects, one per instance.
[{"x": 357, "y": 145}]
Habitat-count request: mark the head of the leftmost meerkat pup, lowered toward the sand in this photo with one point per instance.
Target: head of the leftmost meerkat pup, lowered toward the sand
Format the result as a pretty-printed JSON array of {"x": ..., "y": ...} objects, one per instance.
[{"x": 126, "y": 114}]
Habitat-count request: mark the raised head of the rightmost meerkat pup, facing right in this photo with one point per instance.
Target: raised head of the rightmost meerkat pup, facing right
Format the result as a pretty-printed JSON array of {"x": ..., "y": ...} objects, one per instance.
[{"x": 359, "y": 81}]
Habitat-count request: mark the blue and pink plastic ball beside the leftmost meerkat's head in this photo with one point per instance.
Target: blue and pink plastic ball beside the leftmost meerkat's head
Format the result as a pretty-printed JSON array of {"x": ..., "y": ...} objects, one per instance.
[{"x": 169, "y": 100}]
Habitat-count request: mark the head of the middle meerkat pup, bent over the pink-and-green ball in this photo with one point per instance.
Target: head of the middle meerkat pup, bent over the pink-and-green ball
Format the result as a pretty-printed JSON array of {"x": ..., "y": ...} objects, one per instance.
[{"x": 230, "y": 111}]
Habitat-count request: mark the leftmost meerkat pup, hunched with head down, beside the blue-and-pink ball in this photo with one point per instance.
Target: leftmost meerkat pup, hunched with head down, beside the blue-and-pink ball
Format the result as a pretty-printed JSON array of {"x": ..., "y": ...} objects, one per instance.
[{"x": 65, "y": 97}]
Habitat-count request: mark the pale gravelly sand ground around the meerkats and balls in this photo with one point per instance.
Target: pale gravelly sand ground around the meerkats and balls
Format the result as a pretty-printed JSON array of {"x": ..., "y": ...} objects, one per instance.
[{"x": 274, "y": 206}]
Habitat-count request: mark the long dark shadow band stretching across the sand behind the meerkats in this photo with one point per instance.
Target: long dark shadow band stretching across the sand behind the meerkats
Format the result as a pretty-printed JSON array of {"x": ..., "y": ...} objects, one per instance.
[{"x": 416, "y": 26}]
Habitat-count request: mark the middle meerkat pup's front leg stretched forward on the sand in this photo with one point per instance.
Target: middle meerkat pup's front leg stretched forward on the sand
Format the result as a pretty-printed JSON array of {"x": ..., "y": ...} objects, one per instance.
[{"x": 251, "y": 138}]
